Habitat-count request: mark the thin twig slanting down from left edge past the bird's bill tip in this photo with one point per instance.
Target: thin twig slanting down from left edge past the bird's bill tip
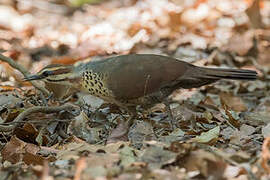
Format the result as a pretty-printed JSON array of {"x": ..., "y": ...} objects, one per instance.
[{"x": 20, "y": 68}]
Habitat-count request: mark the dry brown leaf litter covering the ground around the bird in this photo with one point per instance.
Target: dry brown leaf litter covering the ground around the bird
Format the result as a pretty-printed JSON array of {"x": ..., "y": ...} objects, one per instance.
[{"x": 222, "y": 129}]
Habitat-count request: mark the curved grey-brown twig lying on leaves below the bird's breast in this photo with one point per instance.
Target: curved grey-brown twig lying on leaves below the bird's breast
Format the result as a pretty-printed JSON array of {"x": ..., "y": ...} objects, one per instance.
[{"x": 43, "y": 109}]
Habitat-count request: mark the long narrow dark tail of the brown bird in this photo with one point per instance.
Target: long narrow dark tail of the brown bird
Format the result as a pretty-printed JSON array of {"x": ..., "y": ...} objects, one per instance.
[{"x": 235, "y": 74}]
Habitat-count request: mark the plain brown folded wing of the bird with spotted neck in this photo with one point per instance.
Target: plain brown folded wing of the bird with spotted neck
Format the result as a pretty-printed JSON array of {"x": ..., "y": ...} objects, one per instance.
[{"x": 133, "y": 76}]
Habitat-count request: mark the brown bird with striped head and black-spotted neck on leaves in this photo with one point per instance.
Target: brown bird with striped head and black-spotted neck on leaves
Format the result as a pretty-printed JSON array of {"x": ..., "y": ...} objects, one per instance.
[{"x": 133, "y": 79}]
